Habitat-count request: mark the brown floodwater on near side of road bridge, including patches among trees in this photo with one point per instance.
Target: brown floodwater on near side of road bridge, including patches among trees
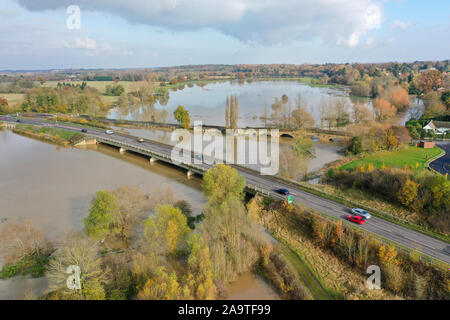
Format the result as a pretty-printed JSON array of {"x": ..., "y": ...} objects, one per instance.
[{"x": 54, "y": 186}]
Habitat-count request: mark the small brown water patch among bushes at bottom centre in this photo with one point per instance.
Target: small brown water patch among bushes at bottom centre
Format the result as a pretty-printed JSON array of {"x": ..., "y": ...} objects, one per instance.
[{"x": 251, "y": 287}]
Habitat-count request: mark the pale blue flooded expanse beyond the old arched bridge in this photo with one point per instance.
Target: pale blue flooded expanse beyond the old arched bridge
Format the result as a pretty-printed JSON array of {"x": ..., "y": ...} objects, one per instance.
[{"x": 207, "y": 102}]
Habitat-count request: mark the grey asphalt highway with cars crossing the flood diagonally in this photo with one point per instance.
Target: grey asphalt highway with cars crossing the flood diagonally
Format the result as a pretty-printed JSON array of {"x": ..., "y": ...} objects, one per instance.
[{"x": 412, "y": 239}]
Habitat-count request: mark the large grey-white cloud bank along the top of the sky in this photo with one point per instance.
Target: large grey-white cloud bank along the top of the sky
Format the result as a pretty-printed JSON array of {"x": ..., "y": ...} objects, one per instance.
[{"x": 252, "y": 21}]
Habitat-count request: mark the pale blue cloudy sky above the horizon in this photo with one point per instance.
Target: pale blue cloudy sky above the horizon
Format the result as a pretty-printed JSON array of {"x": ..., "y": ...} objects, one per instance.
[{"x": 60, "y": 34}]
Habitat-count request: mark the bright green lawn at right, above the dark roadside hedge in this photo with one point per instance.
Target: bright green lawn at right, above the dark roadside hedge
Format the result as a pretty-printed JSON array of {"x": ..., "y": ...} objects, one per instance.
[{"x": 413, "y": 157}]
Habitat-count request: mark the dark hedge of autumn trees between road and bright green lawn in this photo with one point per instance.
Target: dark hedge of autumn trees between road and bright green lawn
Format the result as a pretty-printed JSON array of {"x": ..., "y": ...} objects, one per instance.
[{"x": 426, "y": 194}]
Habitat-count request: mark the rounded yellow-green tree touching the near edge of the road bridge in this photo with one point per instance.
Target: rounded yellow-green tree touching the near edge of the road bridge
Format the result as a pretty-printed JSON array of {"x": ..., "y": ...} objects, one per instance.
[{"x": 222, "y": 182}]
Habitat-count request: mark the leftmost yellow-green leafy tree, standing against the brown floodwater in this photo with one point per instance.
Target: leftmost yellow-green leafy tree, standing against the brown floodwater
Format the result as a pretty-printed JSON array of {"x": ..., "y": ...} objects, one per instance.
[{"x": 100, "y": 220}]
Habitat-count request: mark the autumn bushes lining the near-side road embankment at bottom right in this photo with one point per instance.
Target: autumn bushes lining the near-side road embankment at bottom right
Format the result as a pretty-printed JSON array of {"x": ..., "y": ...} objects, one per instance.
[{"x": 403, "y": 274}]
